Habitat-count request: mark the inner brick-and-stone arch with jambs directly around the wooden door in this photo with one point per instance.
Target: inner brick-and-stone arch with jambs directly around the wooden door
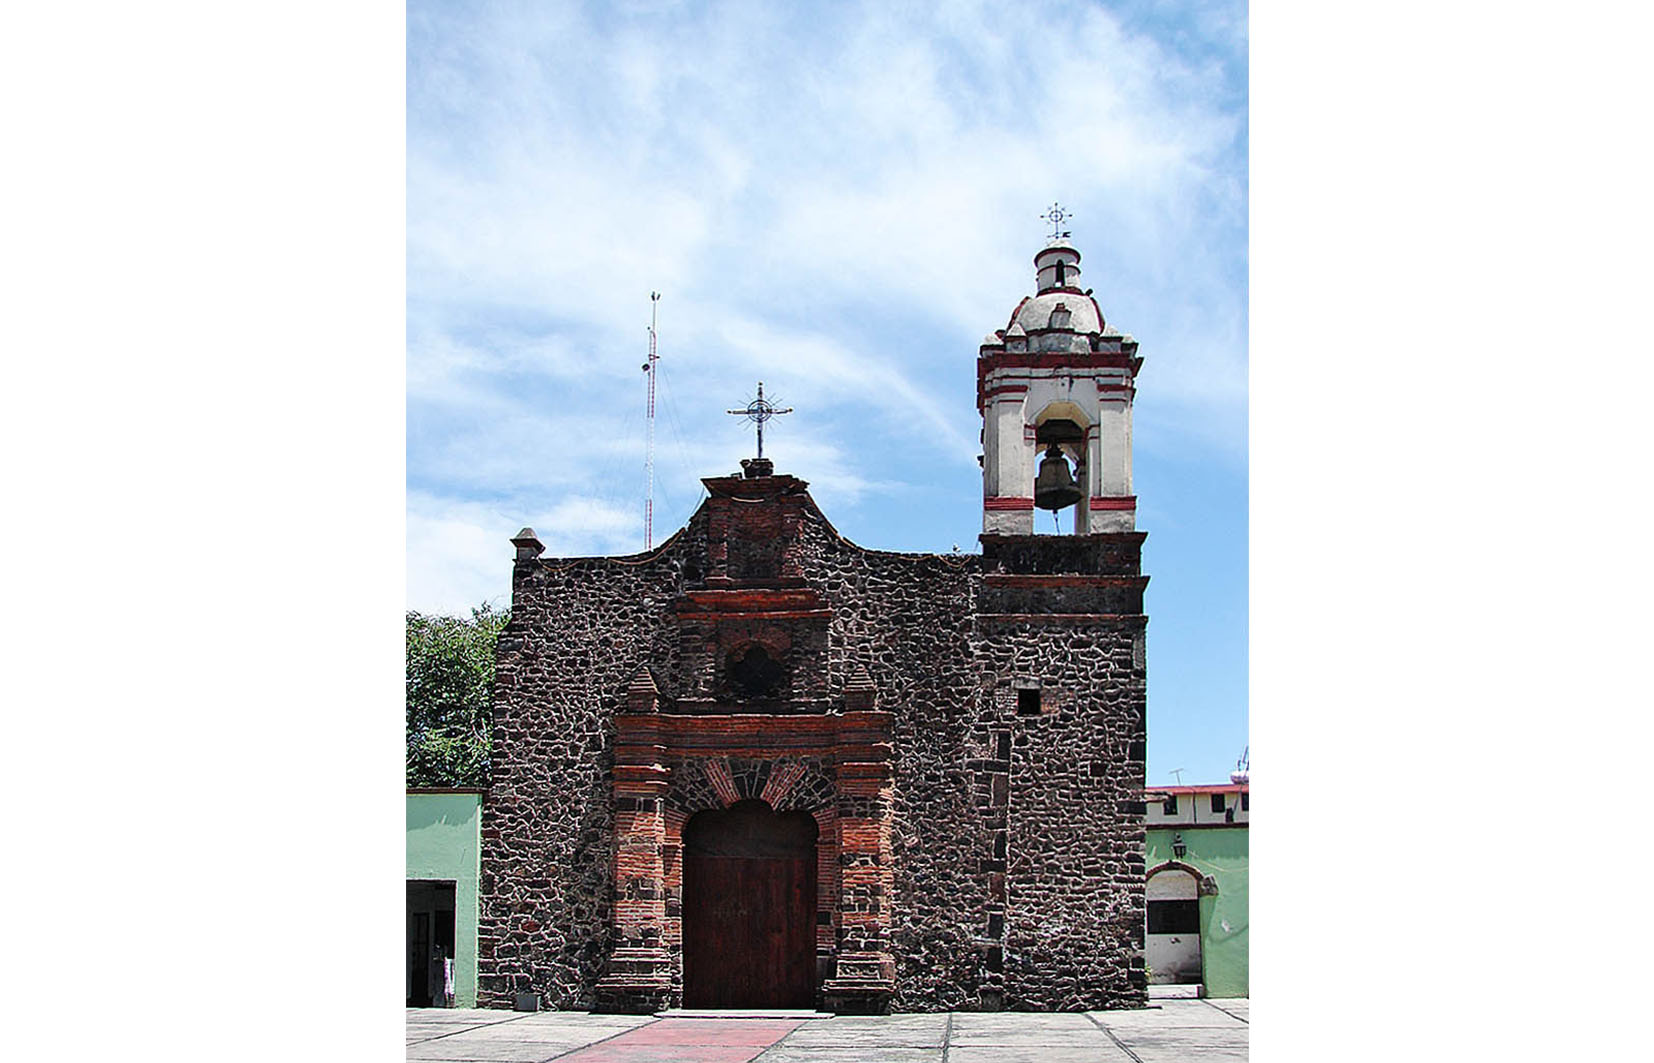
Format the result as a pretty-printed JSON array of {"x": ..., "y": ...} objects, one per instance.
[{"x": 786, "y": 784}]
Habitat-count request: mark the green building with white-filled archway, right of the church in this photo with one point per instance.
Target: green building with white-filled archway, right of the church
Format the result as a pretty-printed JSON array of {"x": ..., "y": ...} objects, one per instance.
[{"x": 1197, "y": 864}]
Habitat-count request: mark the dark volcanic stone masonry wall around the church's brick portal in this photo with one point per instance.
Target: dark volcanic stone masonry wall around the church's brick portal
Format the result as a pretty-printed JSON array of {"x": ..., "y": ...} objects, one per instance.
[{"x": 1016, "y": 682}]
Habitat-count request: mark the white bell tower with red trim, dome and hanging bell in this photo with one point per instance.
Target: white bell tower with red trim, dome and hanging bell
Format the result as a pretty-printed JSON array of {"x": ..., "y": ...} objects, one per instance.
[{"x": 1054, "y": 389}]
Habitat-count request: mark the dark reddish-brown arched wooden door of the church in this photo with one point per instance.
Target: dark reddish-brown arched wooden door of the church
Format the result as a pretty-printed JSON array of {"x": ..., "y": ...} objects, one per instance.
[{"x": 750, "y": 908}]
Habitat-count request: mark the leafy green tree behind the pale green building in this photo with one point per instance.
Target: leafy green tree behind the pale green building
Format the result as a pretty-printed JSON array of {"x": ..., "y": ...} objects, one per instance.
[{"x": 451, "y": 685}]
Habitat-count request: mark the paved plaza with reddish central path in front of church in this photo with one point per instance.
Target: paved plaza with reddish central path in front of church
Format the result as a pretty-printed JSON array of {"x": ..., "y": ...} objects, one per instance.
[{"x": 1167, "y": 1032}]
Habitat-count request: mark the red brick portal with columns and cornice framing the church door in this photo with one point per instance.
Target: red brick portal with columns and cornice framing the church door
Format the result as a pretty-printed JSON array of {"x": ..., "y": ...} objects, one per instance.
[{"x": 838, "y": 766}]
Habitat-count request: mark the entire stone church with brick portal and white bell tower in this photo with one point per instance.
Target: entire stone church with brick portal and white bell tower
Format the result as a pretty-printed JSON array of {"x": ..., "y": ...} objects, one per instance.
[{"x": 763, "y": 766}]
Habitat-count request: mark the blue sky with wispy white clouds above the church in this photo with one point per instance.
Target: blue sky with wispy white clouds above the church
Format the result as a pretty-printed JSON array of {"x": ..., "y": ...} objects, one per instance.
[{"x": 839, "y": 201}]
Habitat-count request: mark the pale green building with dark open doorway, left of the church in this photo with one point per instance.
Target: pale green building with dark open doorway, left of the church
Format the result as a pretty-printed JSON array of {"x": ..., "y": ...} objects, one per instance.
[{"x": 442, "y": 865}]
